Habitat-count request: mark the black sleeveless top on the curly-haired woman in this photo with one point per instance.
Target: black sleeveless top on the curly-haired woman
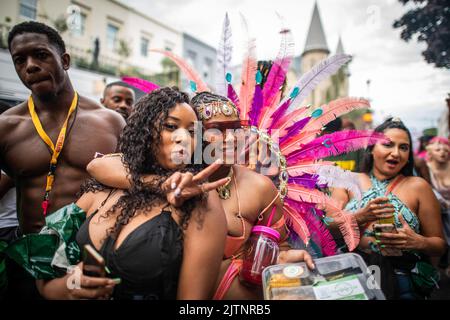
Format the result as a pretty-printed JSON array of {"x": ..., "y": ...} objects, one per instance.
[{"x": 148, "y": 261}]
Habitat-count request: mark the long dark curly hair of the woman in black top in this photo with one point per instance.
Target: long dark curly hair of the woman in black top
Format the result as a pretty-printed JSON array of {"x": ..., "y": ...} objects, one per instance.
[{"x": 139, "y": 144}]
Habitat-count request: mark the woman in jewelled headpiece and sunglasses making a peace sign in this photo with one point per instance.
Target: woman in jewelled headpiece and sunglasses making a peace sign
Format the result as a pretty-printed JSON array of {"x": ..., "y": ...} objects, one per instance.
[{"x": 243, "y": 210}]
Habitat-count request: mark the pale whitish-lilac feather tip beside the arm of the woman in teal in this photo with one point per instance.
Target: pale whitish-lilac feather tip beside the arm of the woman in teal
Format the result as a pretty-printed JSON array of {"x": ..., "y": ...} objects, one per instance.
[{"x": 336, "y": 177}]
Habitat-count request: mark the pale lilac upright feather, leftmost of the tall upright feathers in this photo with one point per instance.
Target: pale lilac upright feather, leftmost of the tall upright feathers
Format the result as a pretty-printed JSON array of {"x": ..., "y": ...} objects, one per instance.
[{"x": 224, "y": 55}]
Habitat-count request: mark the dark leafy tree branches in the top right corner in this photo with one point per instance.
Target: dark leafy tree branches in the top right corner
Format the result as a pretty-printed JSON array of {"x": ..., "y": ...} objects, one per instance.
[{"x": 430, "y": 20}]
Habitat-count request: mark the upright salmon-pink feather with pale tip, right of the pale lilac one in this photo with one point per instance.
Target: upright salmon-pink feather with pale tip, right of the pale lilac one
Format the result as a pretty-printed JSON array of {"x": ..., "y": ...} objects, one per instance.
[{"x": 248, "y": 80}]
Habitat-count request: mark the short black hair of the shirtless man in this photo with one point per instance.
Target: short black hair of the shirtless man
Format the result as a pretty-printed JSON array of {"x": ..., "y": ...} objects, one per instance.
[{"x": 36, "y": 27}]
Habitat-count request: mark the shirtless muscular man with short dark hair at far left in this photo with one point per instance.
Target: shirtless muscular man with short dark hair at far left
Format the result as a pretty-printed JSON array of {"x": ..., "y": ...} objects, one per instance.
[{"x": 41, "y": 62}]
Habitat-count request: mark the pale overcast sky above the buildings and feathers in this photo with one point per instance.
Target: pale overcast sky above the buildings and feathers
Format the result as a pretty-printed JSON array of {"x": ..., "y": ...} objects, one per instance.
[{"x": 402, "y": 83}]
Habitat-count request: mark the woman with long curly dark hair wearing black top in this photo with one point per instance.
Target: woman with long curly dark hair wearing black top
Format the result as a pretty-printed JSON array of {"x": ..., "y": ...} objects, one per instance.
[{"x": 156, "y": 250}]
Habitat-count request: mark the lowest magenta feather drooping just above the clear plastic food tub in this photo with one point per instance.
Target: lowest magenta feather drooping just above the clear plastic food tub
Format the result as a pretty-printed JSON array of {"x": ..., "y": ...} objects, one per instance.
[{"x": 318, "y": 232}]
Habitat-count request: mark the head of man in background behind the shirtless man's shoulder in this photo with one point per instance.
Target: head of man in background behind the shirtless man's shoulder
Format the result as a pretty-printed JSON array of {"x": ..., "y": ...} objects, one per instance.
[{"x": 118, "y": 96}]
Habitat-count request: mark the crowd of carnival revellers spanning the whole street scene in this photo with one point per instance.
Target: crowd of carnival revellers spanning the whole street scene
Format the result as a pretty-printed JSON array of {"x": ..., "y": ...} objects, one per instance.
[{"x": 169, "y": 228}]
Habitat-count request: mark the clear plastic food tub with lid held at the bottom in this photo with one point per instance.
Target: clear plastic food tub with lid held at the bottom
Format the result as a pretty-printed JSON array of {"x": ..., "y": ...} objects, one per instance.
[{"x": 340, "y": 277}]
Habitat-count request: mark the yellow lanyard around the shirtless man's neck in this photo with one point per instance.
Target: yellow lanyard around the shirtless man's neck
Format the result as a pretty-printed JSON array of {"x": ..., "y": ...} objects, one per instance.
[{"x": 55, "y": 150}]
